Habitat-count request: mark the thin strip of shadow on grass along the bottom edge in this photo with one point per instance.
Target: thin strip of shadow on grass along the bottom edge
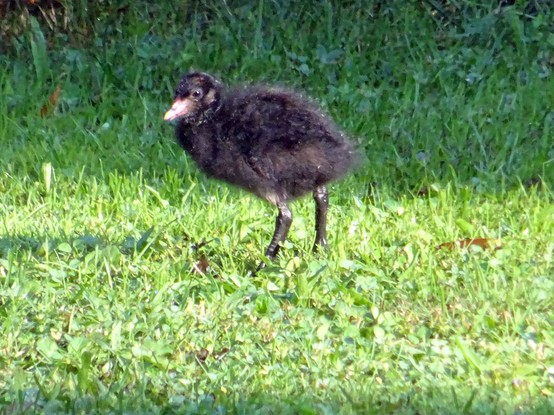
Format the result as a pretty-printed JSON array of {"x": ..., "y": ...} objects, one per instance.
[{"x": 436, "y": 401}]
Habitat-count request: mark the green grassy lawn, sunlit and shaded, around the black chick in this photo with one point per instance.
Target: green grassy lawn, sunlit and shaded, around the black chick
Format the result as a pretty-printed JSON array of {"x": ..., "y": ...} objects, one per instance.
[{"x": 124, "y": 272}]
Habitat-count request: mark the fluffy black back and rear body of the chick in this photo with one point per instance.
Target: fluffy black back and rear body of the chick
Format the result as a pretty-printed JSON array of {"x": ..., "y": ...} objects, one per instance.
[{"x": 286, "y": 139}]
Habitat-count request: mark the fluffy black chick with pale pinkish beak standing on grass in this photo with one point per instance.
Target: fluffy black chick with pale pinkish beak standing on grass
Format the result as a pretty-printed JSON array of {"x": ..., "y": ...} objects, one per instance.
[{"x": 271, "y": 141}]
